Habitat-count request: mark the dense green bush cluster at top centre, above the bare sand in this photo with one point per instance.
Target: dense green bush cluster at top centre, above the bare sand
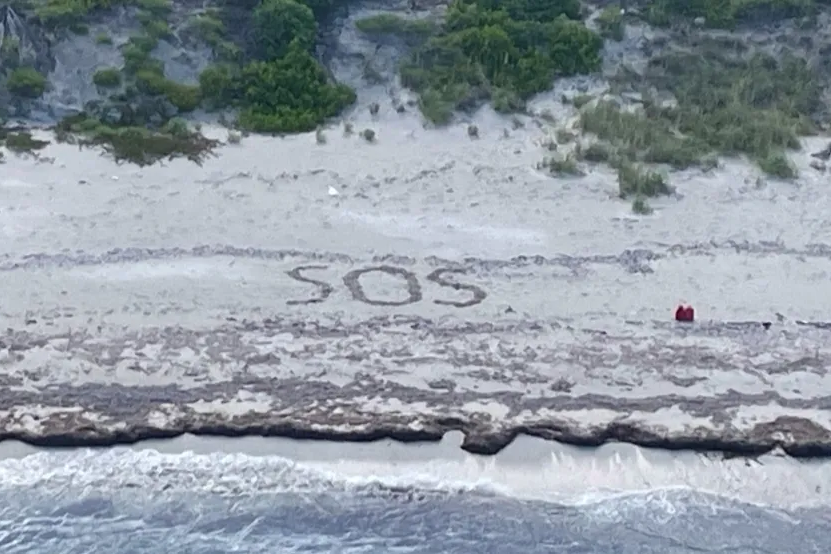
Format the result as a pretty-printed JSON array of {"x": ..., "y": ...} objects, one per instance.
[{"x": 499, "y": 51}]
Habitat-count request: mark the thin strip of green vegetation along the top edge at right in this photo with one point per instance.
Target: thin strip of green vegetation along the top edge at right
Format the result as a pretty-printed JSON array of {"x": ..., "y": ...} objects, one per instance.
[{"x": 727, "y": 13}]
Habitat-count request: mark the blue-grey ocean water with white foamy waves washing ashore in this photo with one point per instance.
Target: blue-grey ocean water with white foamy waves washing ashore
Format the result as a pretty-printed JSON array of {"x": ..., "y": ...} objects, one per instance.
[{"x": 150, "y": 501}]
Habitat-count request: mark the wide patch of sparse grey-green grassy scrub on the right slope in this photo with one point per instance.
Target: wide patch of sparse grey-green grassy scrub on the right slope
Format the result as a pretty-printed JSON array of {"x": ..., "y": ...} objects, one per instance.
[{"x": 757, "y": 106}]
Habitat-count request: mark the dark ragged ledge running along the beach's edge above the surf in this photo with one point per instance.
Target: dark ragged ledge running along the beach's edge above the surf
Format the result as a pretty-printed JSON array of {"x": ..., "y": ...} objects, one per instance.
[{"x": 798, "y": 437}]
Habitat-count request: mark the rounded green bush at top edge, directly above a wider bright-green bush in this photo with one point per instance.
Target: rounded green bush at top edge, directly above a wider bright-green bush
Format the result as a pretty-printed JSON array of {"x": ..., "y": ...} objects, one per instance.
[{"x": 278, "y": 23}]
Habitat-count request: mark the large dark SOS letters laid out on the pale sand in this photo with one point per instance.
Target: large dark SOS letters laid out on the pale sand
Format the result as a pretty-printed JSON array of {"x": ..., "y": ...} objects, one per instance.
[{"x": 408, "y": 279}]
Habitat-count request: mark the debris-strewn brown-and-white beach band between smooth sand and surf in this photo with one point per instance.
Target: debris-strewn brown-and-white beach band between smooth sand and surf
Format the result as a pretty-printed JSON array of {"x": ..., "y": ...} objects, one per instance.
[{"x": 286, "y": 378}]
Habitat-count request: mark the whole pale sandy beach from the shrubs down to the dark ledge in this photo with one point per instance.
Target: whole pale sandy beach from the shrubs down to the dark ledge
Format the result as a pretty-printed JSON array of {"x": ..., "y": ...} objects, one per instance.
[{"x": 490, "y": 298}]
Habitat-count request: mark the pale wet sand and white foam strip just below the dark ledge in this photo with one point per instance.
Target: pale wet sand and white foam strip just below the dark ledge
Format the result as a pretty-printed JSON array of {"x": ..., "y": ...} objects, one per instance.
[{"x": 530, "y": 469}]
